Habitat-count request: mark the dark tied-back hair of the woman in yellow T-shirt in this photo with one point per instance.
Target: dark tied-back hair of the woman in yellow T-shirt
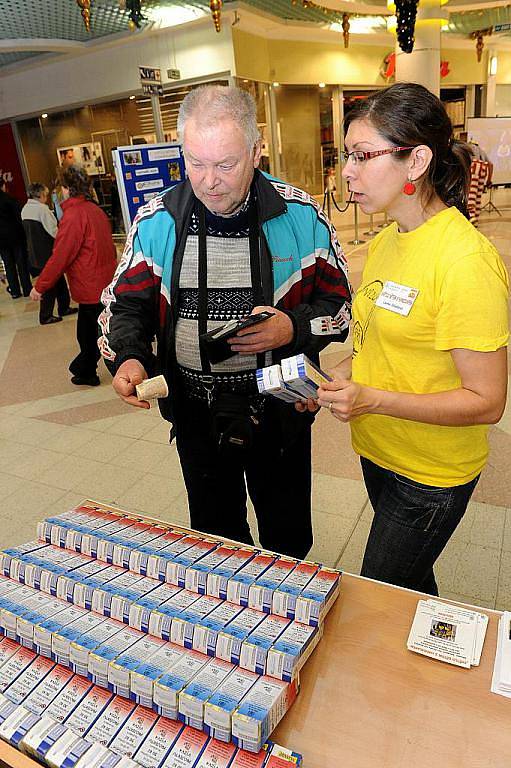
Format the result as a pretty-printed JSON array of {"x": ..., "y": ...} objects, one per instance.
[{"x": 407, "y": 114}]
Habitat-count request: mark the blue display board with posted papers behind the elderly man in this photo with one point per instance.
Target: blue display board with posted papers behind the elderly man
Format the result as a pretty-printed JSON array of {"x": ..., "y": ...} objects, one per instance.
[{"x": 143, "y": 171}]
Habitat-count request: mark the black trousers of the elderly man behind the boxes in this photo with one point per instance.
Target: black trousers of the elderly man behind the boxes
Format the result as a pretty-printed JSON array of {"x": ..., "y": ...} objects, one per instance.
[{"x": 278, "y": 482}]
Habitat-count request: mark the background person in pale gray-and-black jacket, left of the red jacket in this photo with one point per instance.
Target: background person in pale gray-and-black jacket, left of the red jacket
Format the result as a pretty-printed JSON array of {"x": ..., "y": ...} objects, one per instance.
[{"x": 40, "y": 227}]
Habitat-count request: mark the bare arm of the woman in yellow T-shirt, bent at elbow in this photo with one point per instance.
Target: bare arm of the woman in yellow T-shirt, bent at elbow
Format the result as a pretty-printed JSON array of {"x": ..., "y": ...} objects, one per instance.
[{"x": 480, "y": 399}]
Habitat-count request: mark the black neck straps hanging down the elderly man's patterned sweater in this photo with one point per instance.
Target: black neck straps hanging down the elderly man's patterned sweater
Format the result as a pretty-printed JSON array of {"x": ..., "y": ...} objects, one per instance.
[{"x": 208, "y": 380}]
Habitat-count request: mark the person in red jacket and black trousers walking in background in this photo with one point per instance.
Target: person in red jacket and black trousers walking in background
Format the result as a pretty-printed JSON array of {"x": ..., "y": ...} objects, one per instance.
[{"x": 85, "y": 251}]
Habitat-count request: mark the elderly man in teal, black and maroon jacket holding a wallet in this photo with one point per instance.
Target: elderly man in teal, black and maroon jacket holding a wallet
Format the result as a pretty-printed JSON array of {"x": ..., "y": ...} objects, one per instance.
[{"x": 227, "y": 243}]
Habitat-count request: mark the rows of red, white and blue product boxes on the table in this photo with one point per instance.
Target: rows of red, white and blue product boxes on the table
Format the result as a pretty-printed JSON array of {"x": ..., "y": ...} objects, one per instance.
[{"x": 159, "y": 621}]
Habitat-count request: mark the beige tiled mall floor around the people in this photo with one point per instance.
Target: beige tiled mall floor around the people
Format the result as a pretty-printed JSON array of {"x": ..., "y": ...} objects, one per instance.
[{"x": 60, "y": 444}]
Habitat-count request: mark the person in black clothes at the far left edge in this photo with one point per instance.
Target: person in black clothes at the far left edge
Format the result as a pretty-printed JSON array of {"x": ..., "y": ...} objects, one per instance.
[{"x": 12, "y": 244}]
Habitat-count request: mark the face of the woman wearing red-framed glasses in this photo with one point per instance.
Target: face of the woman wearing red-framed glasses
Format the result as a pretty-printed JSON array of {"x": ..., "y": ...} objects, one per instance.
[{"x": 376, "y": 183}]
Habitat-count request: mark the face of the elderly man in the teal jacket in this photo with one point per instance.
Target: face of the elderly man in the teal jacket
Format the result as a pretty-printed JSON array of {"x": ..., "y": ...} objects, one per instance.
[{"x": 219, "y": 163}]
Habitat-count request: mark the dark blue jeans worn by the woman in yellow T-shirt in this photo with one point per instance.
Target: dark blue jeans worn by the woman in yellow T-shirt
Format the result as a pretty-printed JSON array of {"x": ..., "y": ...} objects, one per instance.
[{"x": 412, "y": 524}]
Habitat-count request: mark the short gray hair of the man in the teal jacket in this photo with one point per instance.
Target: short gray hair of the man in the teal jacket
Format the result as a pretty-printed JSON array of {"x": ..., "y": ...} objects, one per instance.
[{"x": 209, "y": 104}]
